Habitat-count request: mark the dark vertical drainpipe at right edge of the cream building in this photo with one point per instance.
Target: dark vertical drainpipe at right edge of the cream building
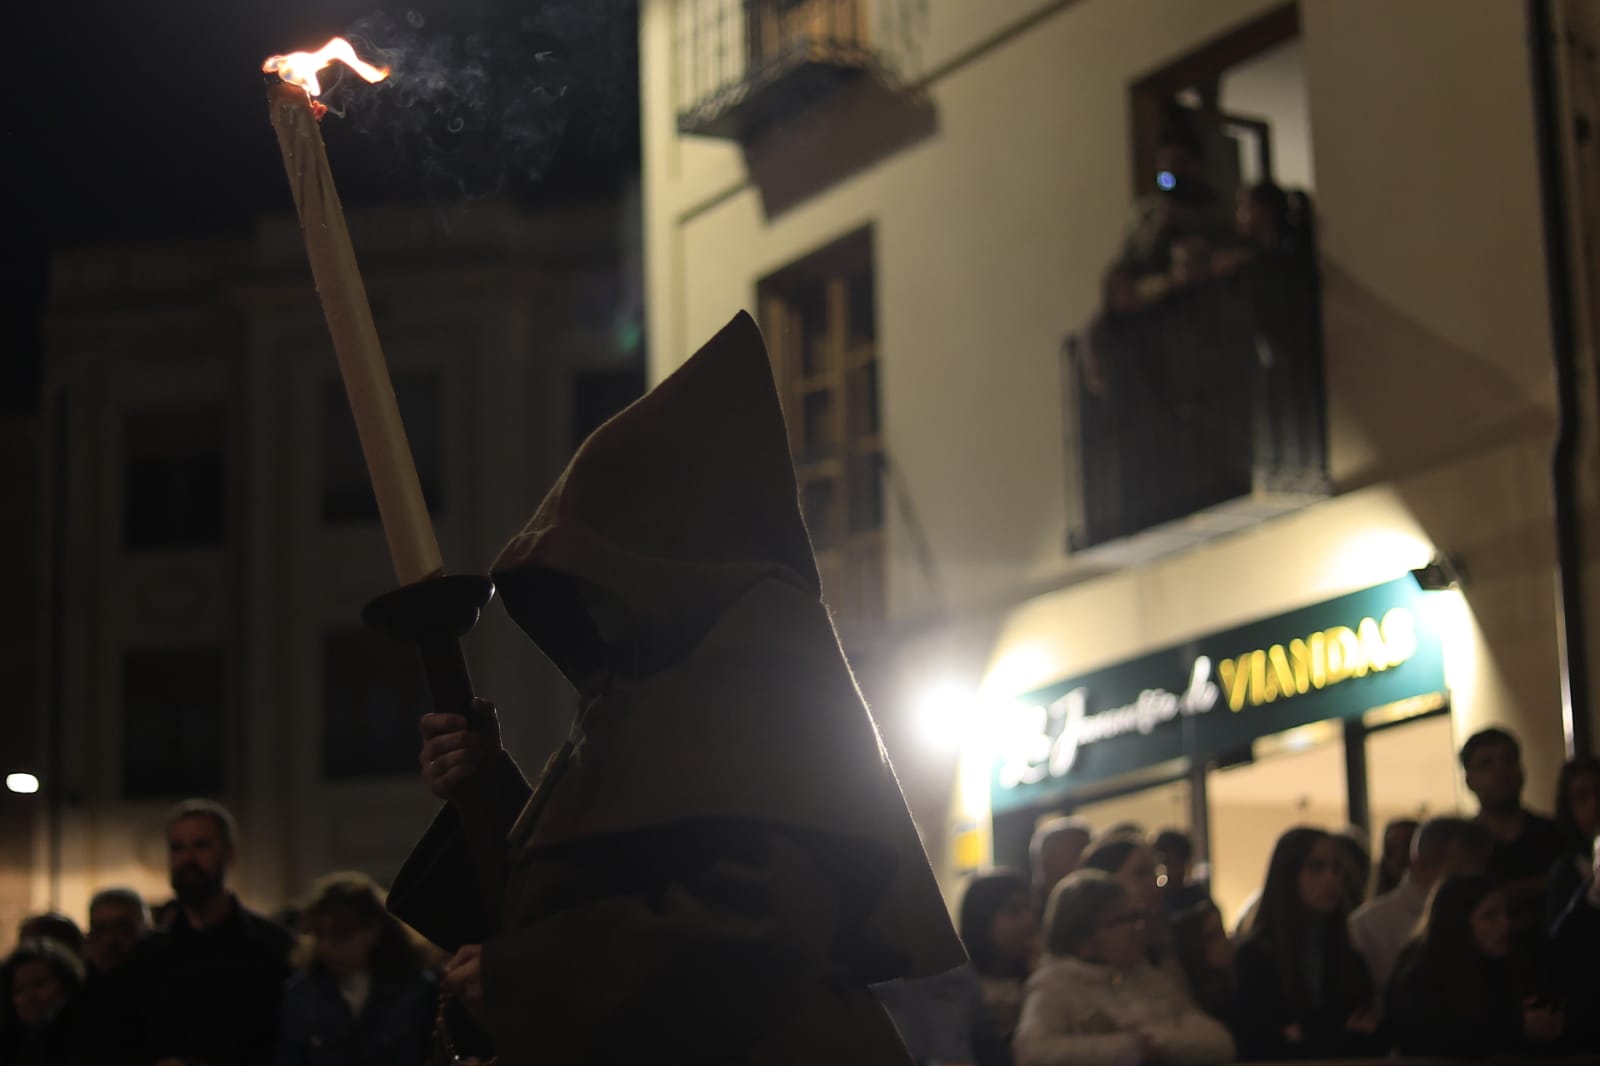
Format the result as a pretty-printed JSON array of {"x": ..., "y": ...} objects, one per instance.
[{"x": 1570, "y": 631}]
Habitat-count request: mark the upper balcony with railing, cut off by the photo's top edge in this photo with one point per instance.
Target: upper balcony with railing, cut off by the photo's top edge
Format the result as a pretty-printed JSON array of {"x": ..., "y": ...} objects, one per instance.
[{"x": 746, "y": 66}]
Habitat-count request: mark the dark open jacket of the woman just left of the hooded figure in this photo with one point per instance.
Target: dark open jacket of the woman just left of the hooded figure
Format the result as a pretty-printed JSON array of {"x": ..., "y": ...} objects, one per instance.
[{"x": 396, "y": 1027}]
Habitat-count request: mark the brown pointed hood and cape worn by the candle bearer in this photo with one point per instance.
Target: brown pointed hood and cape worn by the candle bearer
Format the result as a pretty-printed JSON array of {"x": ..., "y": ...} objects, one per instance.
[{"x": 671, "y": 561}]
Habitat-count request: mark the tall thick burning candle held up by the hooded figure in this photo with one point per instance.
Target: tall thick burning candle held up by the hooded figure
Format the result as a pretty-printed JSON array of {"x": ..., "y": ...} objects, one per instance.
[{"x": 390, "y": 463}]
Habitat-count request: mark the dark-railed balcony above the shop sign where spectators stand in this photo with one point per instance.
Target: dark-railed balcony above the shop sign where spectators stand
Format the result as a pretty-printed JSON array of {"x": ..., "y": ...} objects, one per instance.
[{"x": 1198, "y": 415}]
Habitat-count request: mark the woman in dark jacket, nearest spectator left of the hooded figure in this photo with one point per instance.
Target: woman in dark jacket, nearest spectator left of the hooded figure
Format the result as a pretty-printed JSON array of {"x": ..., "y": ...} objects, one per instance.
[{"x": 362, "y": 993}]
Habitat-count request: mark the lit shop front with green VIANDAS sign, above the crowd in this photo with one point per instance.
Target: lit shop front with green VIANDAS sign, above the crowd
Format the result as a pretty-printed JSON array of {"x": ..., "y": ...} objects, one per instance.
[{"x": 1329, "y": 715}]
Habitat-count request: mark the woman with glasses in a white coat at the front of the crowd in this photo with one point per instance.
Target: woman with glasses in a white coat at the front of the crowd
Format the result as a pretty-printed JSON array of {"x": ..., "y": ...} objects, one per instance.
[{"x": 1097, "y": 1001}]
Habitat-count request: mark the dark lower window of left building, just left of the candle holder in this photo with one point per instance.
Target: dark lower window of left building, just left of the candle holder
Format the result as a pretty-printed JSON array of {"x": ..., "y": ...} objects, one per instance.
[{"x": 372, "y": 695}]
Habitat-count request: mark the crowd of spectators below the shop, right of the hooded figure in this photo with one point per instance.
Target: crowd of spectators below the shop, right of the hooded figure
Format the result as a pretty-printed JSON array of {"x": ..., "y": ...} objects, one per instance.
[{"x": 1463, "y": 937}]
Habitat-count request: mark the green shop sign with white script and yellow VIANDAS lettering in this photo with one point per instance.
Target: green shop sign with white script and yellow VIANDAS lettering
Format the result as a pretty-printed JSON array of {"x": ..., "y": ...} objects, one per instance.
[{"x": 1218, "y": 694}]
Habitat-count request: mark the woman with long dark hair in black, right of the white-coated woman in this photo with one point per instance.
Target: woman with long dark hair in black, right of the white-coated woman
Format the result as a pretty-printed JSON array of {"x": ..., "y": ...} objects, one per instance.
[{"x": 1303, "y": 990}]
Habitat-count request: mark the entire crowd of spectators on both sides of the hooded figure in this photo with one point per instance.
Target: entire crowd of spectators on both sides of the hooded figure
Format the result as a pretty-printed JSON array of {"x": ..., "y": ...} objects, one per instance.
[{"x": 1462, "y": 939}]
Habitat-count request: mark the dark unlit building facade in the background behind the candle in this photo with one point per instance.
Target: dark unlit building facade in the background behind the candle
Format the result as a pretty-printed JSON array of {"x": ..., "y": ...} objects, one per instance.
[{"x": 214, "y": 534}]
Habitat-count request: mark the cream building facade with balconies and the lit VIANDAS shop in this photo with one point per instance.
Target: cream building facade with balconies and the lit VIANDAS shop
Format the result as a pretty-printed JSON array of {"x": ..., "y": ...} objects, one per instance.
[{"x": 1030, "y": 558}]
